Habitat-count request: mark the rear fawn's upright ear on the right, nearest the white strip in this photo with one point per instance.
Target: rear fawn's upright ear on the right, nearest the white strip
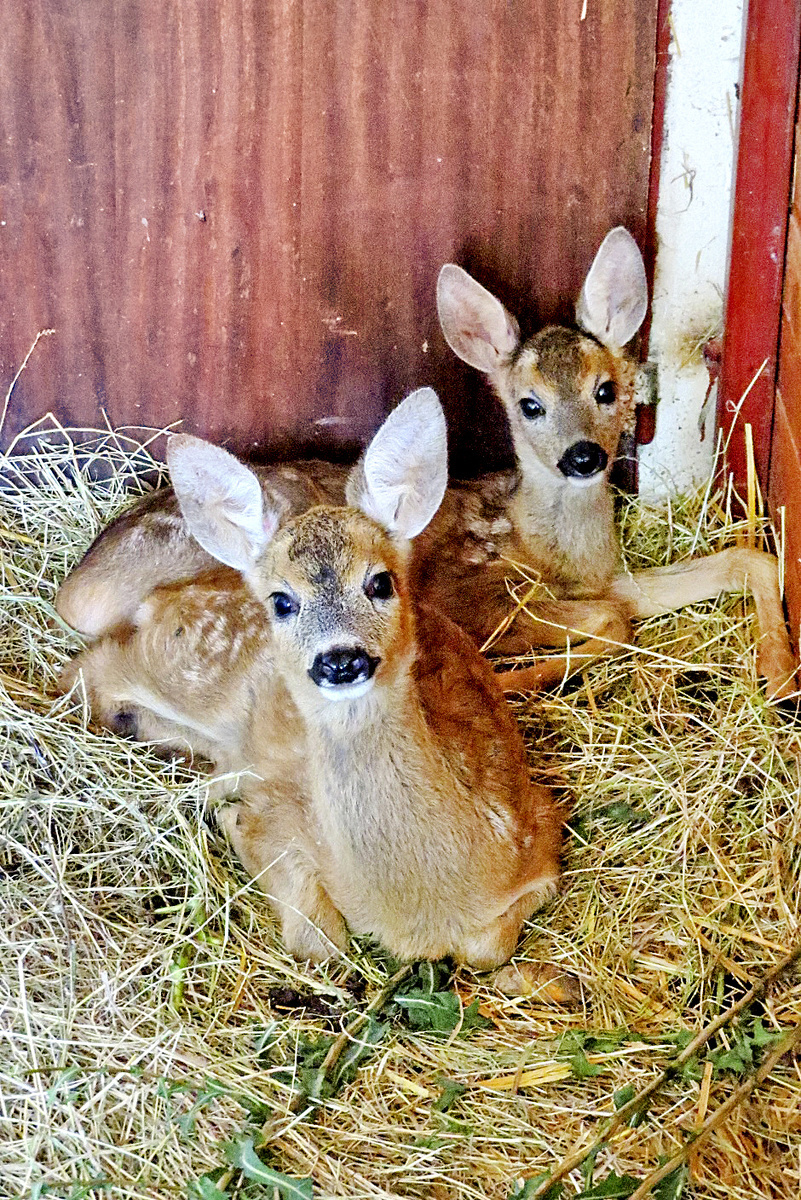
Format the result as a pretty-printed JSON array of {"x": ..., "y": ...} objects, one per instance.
[{"x": 615, "y": 298}]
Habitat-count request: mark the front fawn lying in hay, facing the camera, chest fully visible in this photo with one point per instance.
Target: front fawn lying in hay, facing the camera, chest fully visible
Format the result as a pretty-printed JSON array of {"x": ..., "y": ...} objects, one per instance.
[{"x": 393, "y": 791}]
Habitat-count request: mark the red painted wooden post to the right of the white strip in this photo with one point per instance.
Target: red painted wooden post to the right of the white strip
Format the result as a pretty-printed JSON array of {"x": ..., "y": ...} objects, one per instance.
[{"x": 754, "y": 304}]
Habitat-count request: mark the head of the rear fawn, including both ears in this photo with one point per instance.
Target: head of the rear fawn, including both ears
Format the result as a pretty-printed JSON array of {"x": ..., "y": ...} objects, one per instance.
[{"x": 568, "y": 393}]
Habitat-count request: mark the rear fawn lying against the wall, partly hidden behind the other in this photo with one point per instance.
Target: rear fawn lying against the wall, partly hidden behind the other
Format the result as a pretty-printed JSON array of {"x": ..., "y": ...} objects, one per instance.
[{"x": 569, "y": 397}]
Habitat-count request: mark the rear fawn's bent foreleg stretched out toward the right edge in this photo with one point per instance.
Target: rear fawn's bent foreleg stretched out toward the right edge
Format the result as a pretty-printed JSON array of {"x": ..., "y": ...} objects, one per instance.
[{"x": 664, "y": 589}]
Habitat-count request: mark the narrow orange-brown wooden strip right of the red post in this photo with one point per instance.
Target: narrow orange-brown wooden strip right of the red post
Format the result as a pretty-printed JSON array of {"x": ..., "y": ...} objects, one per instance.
[{"x": 785, "y": 489}]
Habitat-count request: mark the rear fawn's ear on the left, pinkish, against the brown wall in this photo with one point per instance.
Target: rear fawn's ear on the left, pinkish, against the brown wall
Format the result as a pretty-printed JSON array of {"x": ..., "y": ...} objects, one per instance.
[{"x": 475, "y": 325}]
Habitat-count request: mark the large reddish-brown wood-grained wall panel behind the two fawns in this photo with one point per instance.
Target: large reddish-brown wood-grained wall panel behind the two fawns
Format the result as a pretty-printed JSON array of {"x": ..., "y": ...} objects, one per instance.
[{"x": 234, "y": 212}]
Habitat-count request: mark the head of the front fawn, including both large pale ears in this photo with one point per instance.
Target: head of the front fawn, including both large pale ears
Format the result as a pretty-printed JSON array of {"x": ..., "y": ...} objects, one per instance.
[{"x": 334, "y": 580}]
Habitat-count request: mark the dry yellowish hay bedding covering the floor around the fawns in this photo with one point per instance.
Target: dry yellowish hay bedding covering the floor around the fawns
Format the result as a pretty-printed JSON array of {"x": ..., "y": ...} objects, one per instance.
[{"x": 150, "y": 1018}]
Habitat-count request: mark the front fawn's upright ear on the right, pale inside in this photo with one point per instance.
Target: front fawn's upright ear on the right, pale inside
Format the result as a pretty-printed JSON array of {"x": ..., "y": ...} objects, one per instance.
[{"x": 401, "y": 479}]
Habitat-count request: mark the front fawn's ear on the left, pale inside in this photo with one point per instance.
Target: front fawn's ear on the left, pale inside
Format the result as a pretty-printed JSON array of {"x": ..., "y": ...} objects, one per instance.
[{"x": 221, "y": 501}]
